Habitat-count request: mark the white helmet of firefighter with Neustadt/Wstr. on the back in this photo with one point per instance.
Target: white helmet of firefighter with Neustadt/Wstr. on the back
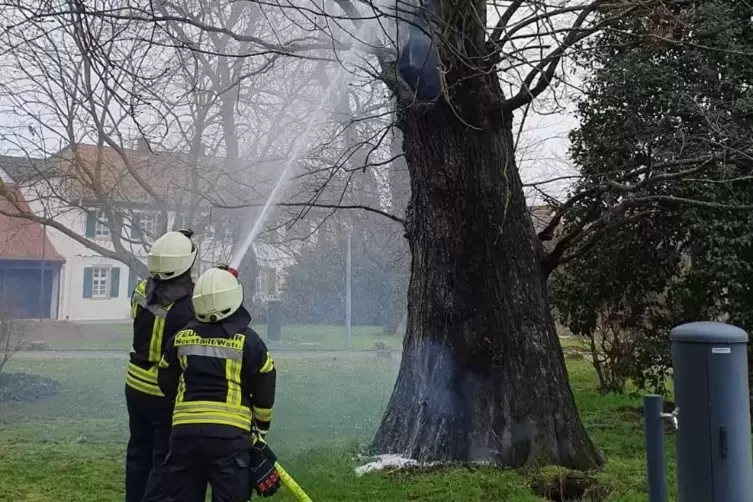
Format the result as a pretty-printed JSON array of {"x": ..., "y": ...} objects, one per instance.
[{"x": 217, "y": 295}]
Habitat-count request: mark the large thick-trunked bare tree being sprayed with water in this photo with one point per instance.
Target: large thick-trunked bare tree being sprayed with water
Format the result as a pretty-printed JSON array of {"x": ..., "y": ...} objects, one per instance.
[{"x": 482, "y": 375}]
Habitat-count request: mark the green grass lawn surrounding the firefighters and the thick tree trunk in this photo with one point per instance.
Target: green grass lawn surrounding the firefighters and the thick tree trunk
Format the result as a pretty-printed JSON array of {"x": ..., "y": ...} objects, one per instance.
[{"x": 70, "y": 447}]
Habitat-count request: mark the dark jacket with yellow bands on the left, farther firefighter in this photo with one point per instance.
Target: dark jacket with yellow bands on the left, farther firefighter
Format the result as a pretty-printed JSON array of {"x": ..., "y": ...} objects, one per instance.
[{"x": 159, "y": 310}]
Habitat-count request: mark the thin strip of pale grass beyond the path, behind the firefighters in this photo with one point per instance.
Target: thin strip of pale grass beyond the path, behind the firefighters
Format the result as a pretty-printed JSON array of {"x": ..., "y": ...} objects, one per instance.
[{"x": 101, "y": 336}]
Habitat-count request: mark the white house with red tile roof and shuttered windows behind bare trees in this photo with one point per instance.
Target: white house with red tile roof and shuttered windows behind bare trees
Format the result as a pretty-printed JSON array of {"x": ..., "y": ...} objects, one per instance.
[{"x": 97, "y": 195}]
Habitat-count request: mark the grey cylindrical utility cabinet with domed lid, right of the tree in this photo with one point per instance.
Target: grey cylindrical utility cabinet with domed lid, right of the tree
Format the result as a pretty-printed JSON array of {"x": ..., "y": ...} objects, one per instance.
[{"x": 711, "y": 392}]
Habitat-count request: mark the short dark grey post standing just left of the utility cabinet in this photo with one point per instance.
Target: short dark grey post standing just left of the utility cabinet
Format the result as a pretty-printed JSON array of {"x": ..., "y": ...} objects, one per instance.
[{"x": 653, "y": 407}]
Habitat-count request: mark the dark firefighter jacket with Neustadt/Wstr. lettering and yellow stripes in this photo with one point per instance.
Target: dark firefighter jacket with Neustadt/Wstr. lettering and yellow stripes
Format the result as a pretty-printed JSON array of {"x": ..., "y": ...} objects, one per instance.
[{"x": 220, "y": 374}]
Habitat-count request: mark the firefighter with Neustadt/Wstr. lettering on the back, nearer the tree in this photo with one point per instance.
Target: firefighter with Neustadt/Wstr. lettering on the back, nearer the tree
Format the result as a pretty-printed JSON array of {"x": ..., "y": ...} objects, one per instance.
[{"x": 223, "y": 378}]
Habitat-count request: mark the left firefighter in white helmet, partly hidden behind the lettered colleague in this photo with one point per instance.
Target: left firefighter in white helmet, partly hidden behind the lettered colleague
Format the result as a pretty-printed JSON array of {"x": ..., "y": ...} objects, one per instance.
[{"x": 160, "y": 306}]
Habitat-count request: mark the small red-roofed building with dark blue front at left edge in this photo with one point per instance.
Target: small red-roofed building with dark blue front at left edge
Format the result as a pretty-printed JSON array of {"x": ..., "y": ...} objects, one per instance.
[{"x": 30, "y": 266}]
